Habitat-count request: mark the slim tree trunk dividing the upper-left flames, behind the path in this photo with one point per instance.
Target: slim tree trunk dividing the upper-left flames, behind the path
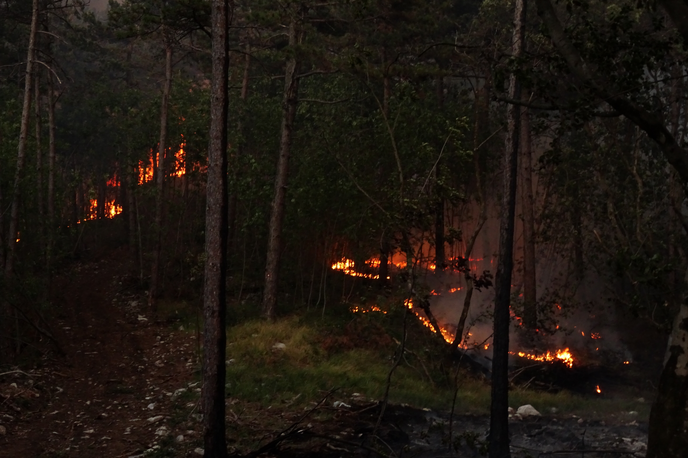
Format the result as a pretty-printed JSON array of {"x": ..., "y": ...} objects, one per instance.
[{"x": 154, "y": 291}]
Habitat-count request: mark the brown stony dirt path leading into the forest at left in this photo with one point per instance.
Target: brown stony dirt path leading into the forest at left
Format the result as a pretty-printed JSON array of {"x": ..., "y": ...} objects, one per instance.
[{"x": 125, "y": 385}]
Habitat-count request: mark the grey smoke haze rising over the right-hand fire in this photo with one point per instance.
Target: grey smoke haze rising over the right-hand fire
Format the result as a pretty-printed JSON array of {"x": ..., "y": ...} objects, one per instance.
[{"x": 574, "y": 313}]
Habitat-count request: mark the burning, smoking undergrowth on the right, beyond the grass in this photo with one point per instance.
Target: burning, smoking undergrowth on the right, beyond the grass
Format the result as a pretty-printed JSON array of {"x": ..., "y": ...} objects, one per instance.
[{"x": 570, "y": 342}]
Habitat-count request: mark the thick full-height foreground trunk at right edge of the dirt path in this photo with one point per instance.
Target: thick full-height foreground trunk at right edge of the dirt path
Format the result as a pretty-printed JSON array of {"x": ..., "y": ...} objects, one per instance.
[{"x": 214, "y": 292}]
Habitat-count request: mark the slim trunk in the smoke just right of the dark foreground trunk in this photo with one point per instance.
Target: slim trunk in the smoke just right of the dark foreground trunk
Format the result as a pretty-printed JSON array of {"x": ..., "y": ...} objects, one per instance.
[{"x": 529, "y": 265}]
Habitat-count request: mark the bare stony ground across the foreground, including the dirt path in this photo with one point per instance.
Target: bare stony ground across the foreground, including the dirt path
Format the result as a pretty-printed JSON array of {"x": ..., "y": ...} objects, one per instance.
[{"x": 127, "y": 386}]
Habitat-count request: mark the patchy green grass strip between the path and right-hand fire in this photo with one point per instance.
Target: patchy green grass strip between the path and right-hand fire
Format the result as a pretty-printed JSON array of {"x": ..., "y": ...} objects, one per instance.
[{"x": 322, "y": 355}]
